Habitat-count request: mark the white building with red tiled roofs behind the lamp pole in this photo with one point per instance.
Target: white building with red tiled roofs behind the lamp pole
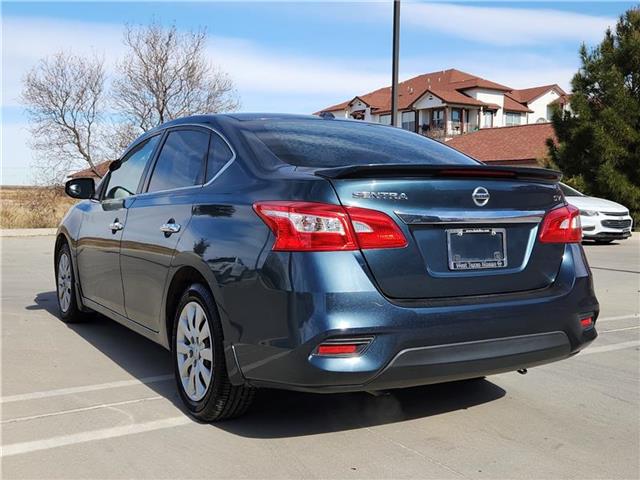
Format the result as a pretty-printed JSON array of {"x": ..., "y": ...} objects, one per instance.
[{"x": 449, "y": 103}]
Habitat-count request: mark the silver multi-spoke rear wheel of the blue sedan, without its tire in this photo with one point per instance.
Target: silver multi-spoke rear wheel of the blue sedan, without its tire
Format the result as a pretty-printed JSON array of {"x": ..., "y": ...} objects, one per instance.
[{"x": 194, "y": 351}]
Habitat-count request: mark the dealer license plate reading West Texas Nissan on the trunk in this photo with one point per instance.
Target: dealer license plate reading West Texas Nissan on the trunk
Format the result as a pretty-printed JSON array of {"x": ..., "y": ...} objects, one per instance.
[{"x": 477, "y": 248}]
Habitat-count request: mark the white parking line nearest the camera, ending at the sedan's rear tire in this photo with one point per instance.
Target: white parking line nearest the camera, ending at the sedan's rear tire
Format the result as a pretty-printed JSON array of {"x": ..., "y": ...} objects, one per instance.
[{"x": 103, "y": 434}]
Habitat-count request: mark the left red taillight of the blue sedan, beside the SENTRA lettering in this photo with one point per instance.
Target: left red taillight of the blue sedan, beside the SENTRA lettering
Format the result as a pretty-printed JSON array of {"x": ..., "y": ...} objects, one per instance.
[{"x": 309, "y": 227}]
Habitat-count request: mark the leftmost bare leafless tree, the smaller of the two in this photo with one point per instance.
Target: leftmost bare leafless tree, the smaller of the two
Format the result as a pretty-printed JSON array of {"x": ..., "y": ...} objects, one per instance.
[{"x": 64, "y": 97}]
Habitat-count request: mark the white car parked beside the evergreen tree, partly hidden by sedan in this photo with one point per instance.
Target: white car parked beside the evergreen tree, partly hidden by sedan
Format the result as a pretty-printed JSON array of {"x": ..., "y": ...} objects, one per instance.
[{"x": 602, "y": 220}]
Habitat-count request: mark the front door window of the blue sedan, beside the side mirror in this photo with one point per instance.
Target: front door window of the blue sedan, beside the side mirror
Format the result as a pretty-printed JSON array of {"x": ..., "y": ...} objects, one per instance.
[{"x": 123, "y": 182}]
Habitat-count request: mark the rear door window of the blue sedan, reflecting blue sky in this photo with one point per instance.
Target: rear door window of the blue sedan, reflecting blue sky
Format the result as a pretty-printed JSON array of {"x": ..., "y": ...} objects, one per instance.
[{"x": 181, "y": 160}]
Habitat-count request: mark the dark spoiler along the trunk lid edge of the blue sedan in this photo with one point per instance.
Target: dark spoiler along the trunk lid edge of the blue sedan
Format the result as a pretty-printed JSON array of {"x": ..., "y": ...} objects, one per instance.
[{"x": 408, "y": 170}]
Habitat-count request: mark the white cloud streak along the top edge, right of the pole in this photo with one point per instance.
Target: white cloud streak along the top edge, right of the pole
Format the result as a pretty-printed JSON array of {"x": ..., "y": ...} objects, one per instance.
[{"x": 505, "y": 26}]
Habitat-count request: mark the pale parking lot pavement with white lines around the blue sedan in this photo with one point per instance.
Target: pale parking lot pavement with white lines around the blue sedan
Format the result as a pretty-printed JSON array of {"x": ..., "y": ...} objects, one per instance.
[{"x": 95, "y": 400}]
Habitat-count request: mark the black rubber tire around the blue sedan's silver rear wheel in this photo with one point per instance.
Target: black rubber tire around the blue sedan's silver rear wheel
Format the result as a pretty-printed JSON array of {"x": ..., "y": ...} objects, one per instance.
[{"x": 222, "y": 400}]
